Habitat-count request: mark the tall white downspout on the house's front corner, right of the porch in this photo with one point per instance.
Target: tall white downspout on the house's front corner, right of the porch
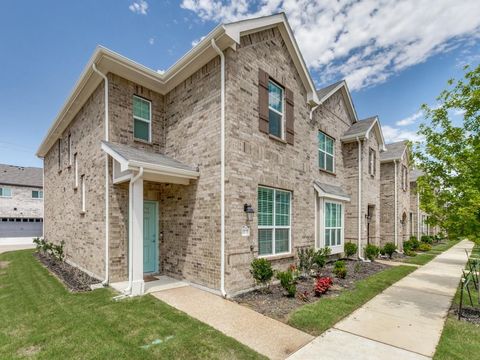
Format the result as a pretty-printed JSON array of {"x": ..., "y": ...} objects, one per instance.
[{"x": 222, "y": 167}]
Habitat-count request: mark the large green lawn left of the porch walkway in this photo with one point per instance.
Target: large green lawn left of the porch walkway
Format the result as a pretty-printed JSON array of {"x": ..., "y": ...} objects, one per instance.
[{"x": 39, "y": 318}]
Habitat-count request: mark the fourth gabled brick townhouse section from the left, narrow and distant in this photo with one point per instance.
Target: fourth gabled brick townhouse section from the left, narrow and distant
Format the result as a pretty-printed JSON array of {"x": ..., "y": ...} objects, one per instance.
[{"x": 395, "y": 194}]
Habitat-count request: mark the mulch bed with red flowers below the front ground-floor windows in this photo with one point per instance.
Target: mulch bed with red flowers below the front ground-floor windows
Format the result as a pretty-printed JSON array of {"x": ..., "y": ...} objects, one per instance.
[{"x": 276, "y": 305}]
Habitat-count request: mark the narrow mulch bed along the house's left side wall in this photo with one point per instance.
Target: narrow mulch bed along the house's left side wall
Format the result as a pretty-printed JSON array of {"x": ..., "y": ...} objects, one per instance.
[{"x": 73, "y": 278}]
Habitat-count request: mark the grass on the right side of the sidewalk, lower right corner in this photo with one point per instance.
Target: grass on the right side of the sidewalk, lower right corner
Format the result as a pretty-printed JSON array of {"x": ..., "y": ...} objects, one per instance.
[{"x": 459, "y": 338}]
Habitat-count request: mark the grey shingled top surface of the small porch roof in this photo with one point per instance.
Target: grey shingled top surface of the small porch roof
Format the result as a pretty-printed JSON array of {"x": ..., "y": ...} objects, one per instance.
[{"x": 132, "y": 154}]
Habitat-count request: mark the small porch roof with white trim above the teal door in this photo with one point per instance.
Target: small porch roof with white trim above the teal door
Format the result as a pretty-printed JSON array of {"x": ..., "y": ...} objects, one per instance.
[{"x": 131, "y": 158}]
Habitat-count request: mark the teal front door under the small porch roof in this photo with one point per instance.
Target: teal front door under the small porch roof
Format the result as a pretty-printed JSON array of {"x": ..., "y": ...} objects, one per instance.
[{"x": 150, "y": 247}]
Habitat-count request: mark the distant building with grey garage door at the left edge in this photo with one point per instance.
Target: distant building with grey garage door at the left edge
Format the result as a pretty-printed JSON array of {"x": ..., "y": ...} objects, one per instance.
[{"x": 21, "y": 201}]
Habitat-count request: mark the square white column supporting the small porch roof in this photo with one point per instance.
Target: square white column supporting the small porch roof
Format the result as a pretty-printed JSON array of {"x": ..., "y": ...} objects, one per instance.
[{"x": 137, "y": 234}]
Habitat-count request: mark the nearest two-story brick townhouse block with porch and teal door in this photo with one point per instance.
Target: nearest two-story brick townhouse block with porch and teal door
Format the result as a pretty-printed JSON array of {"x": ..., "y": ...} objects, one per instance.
[{"x": 229, "y": 155}]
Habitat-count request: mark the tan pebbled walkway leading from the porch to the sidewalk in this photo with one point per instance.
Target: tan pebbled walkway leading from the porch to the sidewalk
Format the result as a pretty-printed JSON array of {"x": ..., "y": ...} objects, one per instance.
[{"x": 263, "y": 334}]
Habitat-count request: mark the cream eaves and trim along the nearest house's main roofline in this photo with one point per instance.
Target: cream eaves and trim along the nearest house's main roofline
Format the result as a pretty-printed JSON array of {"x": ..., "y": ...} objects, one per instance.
[{"x": 224, "y": 35}]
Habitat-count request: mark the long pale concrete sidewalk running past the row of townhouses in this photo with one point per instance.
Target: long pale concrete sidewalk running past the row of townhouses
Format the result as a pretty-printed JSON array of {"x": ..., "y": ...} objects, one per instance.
[{"x": 403, "y": 322}]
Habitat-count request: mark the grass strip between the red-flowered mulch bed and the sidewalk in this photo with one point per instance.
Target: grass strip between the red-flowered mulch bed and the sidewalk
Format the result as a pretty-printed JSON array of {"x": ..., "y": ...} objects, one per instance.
[{"x": 317, "y": 317}]
